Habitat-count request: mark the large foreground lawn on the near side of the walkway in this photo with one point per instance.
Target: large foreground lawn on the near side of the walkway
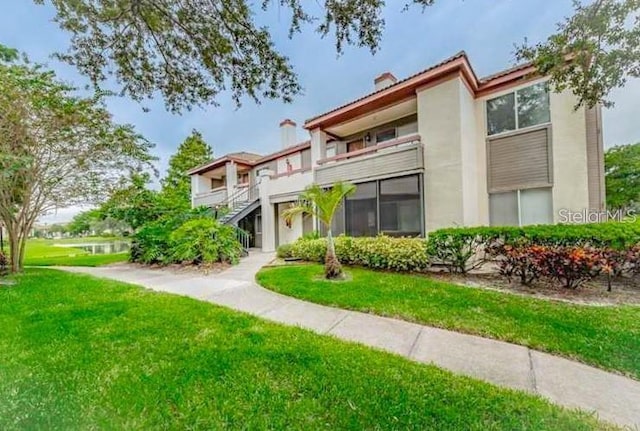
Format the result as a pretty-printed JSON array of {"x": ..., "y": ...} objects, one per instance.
[{"x": 78, "y": 352}]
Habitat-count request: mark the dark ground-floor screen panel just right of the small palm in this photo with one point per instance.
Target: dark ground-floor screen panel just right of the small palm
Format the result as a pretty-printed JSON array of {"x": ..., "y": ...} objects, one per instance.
[{"x": 361, "y": 210}]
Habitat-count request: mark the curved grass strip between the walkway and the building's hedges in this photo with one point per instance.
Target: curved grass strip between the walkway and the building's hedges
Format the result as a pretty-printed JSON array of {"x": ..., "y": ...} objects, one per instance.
[{"x": 607, "y": 337}]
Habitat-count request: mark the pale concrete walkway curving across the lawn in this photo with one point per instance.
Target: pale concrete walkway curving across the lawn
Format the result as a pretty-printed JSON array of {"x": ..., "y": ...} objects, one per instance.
[{"x": 614, "y": 398}]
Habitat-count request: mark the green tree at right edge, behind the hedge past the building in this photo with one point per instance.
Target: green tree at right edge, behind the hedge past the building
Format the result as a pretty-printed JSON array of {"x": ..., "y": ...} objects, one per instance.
[{"x": 622, "y": 176}]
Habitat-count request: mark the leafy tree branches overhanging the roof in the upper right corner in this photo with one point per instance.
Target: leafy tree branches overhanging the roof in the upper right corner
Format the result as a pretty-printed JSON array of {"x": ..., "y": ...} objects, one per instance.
[{"x": 594, "y": 51}]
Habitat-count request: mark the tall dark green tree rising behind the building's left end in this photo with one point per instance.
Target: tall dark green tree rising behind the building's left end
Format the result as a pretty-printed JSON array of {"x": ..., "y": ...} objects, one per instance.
[{"x": 176, "y": 186}]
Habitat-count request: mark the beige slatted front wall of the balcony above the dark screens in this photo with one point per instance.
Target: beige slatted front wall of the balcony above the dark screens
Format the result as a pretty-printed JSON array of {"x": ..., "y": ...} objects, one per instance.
[{"x": 397, "y": 156}]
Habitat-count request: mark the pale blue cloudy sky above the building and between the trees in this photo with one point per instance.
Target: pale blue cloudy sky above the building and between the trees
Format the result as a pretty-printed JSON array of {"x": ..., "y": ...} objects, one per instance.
[{"x": 413, "y": 40}]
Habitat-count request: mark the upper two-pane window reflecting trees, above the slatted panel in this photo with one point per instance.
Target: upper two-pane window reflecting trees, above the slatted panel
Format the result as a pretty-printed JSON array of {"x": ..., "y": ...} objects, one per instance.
[{"x": 526, "y": 107}]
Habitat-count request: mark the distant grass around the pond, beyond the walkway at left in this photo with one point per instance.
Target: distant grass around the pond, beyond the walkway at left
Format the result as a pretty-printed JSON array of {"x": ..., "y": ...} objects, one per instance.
[{"x": 44, "y": 252}]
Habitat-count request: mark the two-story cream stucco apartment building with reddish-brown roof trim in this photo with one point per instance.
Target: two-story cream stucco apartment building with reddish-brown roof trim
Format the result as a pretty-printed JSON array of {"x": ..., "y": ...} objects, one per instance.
[{"x": 437, "y": 149}]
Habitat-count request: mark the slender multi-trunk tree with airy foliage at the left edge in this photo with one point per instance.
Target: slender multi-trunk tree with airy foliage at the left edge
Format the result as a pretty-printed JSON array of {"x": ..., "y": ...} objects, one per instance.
[{"x": 56, "y": 149}]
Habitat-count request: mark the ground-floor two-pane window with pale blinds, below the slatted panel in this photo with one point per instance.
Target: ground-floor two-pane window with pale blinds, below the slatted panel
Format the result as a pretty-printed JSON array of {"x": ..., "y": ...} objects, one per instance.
[{"x": 521, "y": 207}]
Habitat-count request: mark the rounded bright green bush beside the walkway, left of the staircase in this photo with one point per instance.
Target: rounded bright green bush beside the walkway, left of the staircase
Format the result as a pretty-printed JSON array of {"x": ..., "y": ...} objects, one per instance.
[{"x": 204, "y": 241}]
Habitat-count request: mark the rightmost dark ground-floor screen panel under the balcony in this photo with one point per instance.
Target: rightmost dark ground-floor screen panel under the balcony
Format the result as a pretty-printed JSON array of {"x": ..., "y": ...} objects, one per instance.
[{"x": 400, "y": 213}]
